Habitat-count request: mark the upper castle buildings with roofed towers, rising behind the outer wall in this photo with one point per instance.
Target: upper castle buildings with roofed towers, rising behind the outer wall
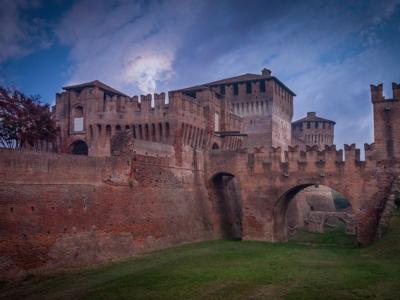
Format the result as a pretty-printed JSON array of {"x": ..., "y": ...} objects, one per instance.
[{"x": 249, "y": 110}]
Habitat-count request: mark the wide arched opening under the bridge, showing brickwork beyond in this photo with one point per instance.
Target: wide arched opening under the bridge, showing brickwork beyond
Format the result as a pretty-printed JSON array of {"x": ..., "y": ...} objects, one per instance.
[{"x": 302, "y": 212}]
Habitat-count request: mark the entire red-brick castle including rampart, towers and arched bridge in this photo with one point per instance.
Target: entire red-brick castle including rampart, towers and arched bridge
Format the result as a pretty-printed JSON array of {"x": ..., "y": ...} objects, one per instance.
[{"x": 215, "y": 160}]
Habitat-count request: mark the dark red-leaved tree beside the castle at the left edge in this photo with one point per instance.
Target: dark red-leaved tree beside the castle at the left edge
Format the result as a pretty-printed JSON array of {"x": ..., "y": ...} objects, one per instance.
[{"x": 24, "y": 120}]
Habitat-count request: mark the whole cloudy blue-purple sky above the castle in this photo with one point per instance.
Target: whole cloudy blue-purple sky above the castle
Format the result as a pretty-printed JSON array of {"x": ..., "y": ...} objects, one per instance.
[{"x": 327, "y": 52}]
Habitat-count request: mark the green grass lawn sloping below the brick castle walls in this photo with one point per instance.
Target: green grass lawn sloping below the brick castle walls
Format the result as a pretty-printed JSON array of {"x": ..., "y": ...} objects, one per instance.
[{"x": 235, "y": 270}]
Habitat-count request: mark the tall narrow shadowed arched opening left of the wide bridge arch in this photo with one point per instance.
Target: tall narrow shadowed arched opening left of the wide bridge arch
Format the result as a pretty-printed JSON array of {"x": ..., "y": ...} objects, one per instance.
[{"x": 225, "y": 194}]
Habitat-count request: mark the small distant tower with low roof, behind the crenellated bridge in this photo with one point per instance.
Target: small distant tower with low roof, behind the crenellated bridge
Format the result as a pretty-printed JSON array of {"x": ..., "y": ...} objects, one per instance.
[{"x": 313, "y": 130}]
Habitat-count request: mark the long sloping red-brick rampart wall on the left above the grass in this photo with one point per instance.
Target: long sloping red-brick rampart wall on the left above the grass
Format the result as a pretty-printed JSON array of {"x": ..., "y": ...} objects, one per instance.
[{"x": 61, "y": 211}]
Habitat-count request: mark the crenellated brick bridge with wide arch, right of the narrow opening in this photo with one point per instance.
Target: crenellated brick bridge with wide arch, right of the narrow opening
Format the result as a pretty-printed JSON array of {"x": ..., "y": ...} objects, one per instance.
[{"x": 269, "y": 179}]
